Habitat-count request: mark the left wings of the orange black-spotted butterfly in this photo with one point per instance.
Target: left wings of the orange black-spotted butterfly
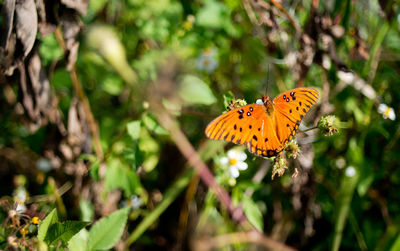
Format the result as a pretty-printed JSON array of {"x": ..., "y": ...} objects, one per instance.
[{"x": 248, "y": 125}]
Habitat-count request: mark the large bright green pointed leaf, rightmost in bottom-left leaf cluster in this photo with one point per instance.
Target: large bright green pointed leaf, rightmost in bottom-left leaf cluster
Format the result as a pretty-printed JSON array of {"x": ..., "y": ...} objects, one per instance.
[{"x": 106, "y": 232}]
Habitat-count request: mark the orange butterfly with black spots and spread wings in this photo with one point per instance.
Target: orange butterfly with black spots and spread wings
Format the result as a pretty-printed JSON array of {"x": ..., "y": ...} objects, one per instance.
[{"x": 265, "y": 127}]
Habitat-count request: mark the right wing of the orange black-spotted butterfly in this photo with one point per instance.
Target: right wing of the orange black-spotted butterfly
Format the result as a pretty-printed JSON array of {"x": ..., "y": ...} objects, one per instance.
[{"x": 290, "y": 108}]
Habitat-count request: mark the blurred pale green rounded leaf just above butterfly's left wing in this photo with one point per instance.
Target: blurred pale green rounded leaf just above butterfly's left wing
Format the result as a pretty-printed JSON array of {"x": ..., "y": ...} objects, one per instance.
[{"x": 195, "y": 91}]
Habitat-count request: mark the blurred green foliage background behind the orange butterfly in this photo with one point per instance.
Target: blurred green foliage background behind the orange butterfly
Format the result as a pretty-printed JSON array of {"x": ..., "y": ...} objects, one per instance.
[{"x": 137, "y": 59}]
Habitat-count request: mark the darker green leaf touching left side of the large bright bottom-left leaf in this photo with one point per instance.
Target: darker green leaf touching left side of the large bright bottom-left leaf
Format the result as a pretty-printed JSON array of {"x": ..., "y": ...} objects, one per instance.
[{"x": 63, "y": 231}]
